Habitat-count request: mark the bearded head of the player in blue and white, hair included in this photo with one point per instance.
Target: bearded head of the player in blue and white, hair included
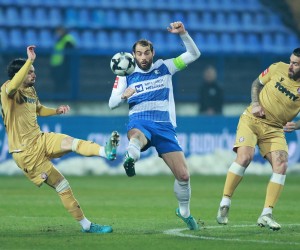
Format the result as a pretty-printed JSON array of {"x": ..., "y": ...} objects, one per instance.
[{"x": 143, "y": 53}]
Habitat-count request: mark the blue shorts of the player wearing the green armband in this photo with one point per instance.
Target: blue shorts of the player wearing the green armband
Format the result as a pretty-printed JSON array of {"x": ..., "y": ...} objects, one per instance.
[{"x": 160, "y": 135}]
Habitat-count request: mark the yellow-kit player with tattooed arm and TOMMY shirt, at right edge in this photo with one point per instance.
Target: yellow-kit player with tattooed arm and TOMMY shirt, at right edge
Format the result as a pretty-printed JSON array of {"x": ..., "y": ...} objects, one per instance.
[{"x": 275, "y": 103}]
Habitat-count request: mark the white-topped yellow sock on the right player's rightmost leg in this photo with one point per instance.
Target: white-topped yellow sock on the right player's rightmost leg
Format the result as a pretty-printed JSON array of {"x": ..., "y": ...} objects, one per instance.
[{"x": 274, "y": 189}]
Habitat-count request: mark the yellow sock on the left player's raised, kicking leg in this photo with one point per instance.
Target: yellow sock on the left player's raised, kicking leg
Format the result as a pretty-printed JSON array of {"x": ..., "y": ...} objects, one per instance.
[{"x": 85, "y": 148}]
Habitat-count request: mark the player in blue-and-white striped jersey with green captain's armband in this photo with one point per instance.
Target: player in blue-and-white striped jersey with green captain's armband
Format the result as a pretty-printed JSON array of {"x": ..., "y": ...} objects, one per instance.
[{"x": 149, "y": 93}]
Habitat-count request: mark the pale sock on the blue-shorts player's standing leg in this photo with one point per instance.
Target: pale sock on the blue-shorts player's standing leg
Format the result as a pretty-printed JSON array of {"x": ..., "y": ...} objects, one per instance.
[{"x": 182, "y": 191}]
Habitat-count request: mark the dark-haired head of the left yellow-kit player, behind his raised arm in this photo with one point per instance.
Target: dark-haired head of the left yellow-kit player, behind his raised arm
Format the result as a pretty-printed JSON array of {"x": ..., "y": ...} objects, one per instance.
[{"x": 15, "y": 65}]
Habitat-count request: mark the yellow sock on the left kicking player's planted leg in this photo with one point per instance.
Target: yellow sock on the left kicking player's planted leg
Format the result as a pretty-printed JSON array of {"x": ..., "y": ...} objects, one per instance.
[{"x": 71, "y": 204}]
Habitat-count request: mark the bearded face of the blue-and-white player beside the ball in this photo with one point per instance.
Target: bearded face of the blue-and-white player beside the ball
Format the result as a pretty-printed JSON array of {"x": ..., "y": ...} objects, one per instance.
[{"x": 143, "y": 57}]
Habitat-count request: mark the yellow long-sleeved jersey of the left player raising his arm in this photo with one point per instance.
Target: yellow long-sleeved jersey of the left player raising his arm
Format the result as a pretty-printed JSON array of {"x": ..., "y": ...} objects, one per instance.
[{"x": 20, "y": 111}]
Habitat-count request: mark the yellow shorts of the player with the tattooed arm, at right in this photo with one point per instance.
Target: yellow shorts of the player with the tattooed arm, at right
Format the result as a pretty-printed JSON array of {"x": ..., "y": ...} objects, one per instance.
[{"x": 252, "y": 132}]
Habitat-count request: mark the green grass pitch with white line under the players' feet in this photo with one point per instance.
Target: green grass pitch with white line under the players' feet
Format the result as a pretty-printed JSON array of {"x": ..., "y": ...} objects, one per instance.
[{"x": 141, "y": 210}]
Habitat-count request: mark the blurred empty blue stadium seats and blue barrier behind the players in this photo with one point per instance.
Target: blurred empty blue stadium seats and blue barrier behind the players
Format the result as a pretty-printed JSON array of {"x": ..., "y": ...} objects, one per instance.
[{"x": 240, "y": 38}]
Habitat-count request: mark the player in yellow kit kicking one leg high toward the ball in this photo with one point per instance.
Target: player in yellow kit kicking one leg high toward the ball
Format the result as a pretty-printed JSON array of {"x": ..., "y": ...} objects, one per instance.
[{"x": 32, "y": 149}]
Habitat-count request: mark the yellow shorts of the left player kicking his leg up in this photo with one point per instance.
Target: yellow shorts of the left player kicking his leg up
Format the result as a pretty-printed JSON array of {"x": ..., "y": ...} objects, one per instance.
[{"x": 35, "y": 161}]
